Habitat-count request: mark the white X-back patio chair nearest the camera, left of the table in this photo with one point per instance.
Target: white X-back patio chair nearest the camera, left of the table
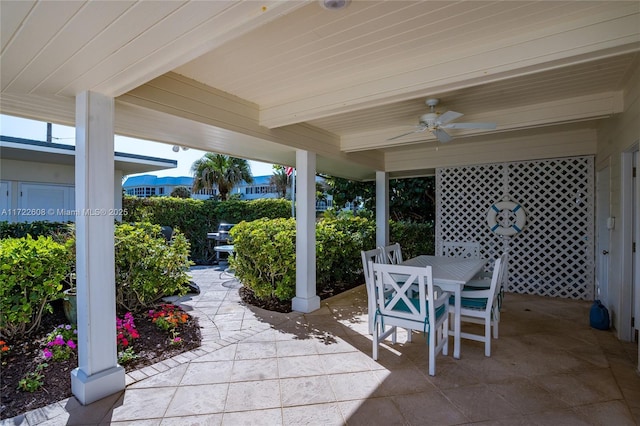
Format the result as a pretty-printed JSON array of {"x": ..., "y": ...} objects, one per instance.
[{"x": 426, "y": 311}]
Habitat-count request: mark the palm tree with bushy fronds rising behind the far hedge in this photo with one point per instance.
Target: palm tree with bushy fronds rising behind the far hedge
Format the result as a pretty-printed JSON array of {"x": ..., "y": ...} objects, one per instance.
[{"x": 221, "y": 171}]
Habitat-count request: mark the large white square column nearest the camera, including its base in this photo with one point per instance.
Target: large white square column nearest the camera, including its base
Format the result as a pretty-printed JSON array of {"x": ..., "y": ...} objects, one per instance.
[{"x": 98, "y": 373}]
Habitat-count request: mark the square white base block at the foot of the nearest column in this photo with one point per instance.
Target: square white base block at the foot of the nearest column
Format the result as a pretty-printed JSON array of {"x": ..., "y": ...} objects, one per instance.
[{"x": 88, "y": 389}]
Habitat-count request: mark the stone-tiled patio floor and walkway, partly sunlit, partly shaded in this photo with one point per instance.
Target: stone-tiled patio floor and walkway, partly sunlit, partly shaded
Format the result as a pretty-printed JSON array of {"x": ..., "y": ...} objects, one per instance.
[{"x": 263, "y": 368}]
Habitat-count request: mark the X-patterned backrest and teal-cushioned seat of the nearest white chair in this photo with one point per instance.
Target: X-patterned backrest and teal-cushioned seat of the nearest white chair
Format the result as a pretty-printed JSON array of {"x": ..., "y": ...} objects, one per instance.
[{"x": 404, "y": 283}]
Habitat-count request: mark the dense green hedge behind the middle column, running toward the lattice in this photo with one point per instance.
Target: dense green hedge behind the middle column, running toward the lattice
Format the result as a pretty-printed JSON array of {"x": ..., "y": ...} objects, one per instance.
[{"x": 265, "y": 256}]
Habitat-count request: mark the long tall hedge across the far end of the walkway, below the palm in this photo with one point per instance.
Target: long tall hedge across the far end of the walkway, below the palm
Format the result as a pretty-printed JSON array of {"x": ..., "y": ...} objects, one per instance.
[{"x": 195, "y": 218}]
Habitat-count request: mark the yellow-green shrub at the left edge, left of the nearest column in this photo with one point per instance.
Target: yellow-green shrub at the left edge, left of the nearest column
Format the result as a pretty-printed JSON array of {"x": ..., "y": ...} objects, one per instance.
[{"x": 32, "y": 273}]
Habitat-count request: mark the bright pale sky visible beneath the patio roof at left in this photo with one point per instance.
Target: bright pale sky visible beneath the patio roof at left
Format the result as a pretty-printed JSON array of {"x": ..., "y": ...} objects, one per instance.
[{"x": 37, "y": 130}]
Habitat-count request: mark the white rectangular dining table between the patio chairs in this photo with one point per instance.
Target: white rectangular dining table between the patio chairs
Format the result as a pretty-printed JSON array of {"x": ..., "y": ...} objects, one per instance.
[{"x": 450, "y": 274}]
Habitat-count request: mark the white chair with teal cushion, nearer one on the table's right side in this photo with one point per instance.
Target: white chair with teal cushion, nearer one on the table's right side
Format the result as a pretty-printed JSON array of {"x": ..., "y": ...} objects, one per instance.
[{"x": 480, "y": 306}]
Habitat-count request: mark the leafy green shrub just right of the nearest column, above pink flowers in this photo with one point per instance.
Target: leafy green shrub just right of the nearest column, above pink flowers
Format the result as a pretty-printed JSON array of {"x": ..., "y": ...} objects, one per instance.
[{"x": 147, "y": 267}]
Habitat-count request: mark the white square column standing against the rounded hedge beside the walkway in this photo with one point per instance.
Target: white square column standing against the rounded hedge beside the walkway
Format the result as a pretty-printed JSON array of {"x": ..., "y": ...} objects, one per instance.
[{"x": 306, "y": 299}]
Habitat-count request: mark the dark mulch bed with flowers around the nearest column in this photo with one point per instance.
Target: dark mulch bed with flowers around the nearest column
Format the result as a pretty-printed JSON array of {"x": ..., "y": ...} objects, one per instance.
[{"x": 26, "y": 353}]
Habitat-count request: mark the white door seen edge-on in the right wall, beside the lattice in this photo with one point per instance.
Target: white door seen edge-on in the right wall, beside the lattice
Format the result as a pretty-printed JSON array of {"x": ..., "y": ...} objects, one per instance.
[{"x": 603, "y": 235}]
